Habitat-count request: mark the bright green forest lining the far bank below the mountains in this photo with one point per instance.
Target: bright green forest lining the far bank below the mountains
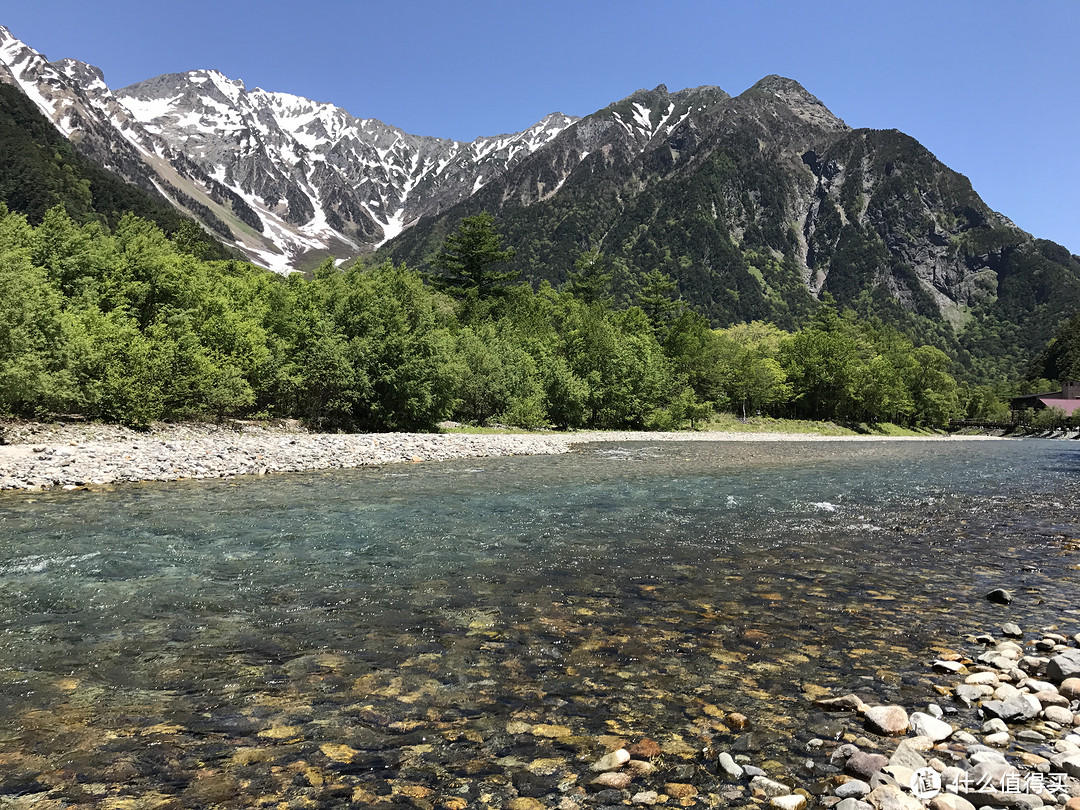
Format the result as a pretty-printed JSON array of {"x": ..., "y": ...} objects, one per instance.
[{"x": 126, "y": 323}]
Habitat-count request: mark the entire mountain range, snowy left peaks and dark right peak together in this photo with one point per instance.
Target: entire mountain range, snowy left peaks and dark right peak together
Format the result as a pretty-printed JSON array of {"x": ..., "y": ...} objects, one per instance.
[{"x": 758, "y": 206}]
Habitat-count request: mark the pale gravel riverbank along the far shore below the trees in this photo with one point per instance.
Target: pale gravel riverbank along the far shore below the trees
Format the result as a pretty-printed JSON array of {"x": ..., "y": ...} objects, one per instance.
[{"x": 74, "y": 455}]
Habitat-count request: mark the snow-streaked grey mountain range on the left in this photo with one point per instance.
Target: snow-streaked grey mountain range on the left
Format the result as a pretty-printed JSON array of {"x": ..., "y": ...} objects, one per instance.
[{"x": 282, "y": 178}]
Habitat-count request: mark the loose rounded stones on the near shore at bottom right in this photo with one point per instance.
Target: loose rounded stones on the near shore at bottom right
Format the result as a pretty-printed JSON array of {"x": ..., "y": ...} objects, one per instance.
[{"x": 1006, "y": 736}]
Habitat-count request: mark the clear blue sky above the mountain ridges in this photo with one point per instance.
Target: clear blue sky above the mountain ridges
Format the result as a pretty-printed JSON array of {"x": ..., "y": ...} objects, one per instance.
[{"x": 991, "y": 87}]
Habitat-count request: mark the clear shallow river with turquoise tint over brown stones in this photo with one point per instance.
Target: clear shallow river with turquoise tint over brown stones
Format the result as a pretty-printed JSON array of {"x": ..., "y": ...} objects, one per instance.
[{"x": 214, "y": 641}]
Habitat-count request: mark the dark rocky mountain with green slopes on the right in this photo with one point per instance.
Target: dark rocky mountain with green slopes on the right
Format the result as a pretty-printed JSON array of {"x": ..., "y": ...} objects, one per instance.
[{"x": 760, "y": 205}]
